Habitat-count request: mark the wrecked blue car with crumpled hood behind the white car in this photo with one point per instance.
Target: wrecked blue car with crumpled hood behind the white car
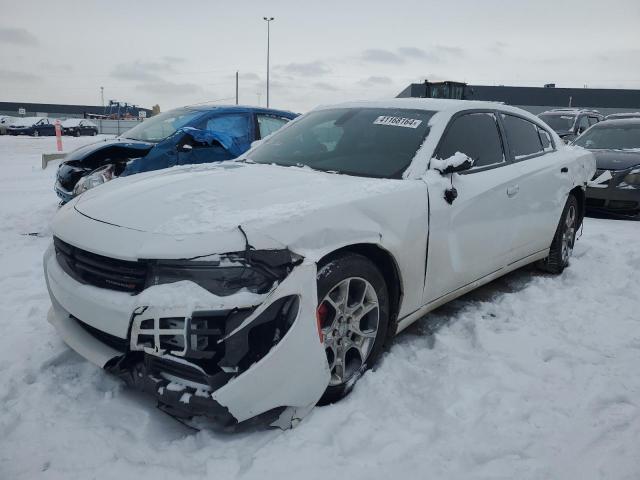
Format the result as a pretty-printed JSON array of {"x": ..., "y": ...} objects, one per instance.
[{"x": 187, "y": 135}]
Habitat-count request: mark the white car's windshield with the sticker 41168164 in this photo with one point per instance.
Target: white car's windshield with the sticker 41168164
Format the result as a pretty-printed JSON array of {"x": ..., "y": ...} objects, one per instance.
[{"x": 367, "y": 142}]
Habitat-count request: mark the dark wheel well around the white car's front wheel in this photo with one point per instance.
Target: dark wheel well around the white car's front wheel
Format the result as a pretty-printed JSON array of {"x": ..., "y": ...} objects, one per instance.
[{"x": 382, "y": 259}]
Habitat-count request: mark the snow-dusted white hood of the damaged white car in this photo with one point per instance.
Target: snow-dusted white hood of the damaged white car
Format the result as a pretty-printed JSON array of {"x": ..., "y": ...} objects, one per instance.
[{"x": 196, "y": 201}]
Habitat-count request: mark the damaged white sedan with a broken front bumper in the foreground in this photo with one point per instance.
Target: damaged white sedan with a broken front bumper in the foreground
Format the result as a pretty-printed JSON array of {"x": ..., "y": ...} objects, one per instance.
[{"x": 262, "y": 286}]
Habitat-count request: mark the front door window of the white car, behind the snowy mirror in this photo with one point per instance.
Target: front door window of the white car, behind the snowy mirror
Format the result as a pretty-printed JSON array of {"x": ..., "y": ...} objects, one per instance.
[{"x": 477, "y": 136}]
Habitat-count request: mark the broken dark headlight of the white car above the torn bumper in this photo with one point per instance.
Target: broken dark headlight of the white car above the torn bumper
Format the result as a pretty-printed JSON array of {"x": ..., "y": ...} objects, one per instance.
[{"x": 223, "y": 277}]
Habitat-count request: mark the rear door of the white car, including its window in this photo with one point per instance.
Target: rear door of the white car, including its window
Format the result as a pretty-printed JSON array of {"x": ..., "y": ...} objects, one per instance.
[{"x": 543, "y": 182}]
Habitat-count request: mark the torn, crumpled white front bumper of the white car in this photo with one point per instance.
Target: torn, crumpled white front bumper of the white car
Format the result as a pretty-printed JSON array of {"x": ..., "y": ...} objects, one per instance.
[{"x": 289, "y": 378}]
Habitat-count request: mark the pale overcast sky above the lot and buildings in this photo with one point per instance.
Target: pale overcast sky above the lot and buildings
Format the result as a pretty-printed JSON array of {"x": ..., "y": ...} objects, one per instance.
[{"x": 181, "y": 52}]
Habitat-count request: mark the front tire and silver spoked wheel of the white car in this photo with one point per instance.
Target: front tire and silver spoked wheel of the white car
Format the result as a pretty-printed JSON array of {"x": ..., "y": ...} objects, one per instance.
[{"x": 349, "y": 333}]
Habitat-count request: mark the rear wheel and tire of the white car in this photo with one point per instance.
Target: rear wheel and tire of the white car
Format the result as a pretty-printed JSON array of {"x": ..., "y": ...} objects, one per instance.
[{"x": 563, "y": 240}]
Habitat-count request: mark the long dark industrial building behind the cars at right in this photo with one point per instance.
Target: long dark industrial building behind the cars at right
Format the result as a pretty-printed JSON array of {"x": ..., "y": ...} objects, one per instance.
[{"x": 533, "y": 99}]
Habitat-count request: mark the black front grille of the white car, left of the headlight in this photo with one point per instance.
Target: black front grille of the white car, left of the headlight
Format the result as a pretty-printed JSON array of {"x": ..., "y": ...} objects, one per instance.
[{"x": 103, "y": 272}]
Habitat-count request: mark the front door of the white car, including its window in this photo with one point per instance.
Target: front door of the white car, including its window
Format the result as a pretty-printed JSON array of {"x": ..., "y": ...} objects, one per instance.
[{"x": 473, "y": 236}]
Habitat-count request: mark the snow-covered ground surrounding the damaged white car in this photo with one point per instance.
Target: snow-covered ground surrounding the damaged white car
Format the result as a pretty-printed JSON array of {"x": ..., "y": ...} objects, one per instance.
[{"x": 531, "y": 377}]
